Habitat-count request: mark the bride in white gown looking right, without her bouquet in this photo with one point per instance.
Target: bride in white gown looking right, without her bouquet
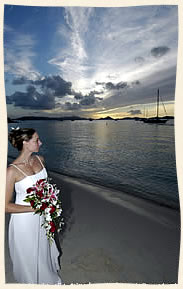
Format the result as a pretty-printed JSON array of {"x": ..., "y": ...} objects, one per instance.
[{"x": 34, "y": 260}]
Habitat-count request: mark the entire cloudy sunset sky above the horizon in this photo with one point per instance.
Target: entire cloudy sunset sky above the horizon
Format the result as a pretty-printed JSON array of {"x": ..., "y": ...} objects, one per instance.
[{"x": 91, "y": 62}]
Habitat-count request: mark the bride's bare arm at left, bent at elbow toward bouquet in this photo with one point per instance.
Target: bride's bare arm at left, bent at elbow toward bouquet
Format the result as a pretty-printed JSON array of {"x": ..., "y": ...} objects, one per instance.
[{"x": 10, "y": 207}]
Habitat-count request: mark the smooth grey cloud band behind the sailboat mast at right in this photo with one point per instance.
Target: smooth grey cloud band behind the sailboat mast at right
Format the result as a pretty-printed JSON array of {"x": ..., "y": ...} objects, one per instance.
[{"x": 145, "y": 92}]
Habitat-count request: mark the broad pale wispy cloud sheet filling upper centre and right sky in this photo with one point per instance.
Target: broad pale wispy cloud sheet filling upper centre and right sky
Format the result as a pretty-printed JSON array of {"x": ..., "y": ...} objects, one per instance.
[{"x": 116, "y": 41}]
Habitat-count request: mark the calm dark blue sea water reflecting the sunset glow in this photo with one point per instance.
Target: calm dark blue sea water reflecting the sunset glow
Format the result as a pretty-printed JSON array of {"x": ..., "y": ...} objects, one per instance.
[{"x": 130, "y": 156}]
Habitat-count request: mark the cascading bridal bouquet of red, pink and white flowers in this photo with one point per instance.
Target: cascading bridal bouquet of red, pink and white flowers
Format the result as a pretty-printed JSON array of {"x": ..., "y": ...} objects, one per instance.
[{"x": 43, "y": 197}]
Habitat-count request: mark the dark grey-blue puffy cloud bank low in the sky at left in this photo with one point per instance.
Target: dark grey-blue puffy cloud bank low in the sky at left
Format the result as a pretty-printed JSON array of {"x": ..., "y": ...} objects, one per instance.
[{"x": 45, "y": 92}]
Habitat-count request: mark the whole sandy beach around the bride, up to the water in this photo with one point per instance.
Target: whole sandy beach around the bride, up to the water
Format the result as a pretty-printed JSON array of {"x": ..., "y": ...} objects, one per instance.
[{"x": 112, "y": 237}]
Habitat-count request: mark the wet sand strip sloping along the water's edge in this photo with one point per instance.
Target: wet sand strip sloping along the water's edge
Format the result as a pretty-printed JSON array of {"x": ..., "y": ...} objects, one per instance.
[{"x": 121, "y": 199}]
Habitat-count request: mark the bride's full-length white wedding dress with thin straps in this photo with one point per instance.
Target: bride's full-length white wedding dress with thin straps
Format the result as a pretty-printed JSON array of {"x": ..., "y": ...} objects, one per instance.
[{"x": 34, "y": 260}]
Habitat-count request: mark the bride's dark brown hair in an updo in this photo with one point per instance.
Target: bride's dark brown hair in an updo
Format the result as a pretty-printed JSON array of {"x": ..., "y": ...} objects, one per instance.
[{"x": 17, "y": 135}]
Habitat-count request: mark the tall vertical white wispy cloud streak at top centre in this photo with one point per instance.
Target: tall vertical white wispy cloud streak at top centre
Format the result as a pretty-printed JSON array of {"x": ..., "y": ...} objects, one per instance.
[{"x": 72, "y": 61}]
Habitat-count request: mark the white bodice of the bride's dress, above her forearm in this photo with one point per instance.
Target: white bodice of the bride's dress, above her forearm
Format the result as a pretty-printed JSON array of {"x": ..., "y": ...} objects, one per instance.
[{"x": 27, "y": 182}]
